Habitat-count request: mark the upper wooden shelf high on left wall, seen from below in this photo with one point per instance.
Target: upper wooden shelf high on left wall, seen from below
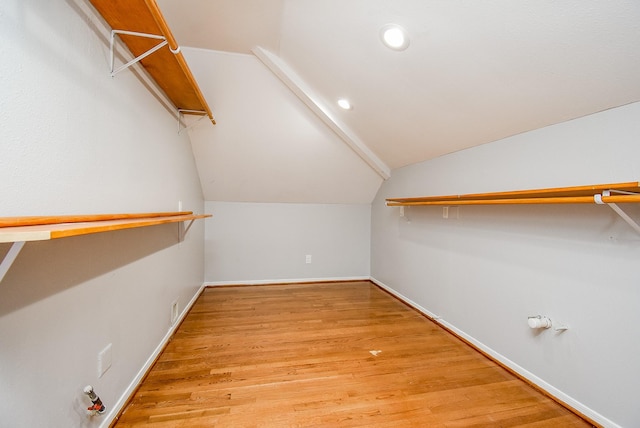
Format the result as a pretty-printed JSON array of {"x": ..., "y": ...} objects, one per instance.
[{"x": 167, "y": 65}]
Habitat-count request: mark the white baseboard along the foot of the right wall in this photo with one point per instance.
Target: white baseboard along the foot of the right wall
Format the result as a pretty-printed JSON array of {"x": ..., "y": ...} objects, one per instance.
[{"x": 548, "y": 388}]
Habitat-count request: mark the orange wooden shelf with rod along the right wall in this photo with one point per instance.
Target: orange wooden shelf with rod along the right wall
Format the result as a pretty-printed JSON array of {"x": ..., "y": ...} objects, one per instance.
[{"x": 599, "y": 193}]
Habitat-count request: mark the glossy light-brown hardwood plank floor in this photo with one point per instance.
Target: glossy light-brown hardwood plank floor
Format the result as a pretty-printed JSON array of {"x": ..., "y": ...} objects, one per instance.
[{"x": 327, "y": 355}]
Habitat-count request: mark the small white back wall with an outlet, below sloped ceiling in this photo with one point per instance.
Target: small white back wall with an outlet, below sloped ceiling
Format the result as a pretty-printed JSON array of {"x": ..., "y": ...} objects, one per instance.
[{"x": 262, "y": 242}]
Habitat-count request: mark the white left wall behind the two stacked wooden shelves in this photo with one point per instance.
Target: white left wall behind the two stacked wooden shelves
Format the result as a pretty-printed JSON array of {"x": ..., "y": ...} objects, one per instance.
[{"x": 74, "y": 140}]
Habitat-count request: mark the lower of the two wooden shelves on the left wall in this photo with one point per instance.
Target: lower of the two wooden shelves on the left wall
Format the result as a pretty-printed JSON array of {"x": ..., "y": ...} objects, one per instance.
[{"x": 17, "y": 229}]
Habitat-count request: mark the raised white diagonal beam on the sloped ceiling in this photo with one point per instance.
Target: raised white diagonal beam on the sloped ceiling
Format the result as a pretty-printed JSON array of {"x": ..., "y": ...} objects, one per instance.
[{"x": 302, "y": 91}]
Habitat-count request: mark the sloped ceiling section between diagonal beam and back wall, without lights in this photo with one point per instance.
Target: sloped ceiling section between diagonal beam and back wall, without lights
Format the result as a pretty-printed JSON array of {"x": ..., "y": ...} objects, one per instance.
[{"x": 267, "y": 146}]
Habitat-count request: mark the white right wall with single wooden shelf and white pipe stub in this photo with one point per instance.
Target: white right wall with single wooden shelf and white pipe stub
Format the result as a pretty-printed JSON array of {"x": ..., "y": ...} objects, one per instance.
[{"x": 486, "y": 271}]
